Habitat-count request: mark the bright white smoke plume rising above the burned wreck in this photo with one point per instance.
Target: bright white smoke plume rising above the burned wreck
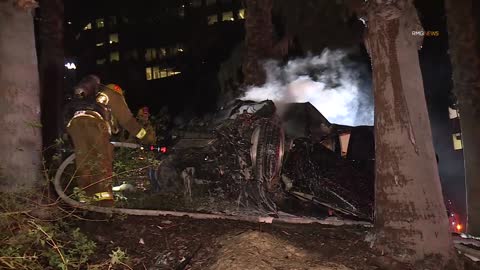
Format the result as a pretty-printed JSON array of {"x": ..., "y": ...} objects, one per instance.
[{"x": 338, "y": 87}]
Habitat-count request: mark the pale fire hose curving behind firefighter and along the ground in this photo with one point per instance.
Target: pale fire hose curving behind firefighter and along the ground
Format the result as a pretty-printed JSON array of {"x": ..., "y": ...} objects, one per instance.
[{"x": 146, "y": 212}]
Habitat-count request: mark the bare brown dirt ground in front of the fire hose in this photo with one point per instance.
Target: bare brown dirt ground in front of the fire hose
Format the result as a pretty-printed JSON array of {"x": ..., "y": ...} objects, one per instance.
[{"x": 182, "y": 243}]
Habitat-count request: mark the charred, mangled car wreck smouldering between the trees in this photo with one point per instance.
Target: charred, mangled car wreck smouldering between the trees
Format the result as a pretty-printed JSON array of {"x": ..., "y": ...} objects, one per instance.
[{"x": 267, "y": 158}]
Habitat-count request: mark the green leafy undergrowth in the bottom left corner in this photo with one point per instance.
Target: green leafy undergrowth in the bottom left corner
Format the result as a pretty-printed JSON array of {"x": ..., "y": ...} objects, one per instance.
[{"x": 29, "y": 243}]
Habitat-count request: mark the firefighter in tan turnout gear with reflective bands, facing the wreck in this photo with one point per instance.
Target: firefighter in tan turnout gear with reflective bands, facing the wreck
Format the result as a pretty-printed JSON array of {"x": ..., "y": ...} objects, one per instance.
[{"x": 98, "y": 111}]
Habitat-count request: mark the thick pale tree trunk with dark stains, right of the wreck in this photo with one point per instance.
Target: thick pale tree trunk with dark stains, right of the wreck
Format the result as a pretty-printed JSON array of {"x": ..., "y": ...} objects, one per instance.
[{"x": 410, "y": 215}]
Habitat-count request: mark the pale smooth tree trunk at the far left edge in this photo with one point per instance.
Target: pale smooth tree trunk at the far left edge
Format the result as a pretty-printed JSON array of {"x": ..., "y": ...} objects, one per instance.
[{"x": 20, "y": 140}]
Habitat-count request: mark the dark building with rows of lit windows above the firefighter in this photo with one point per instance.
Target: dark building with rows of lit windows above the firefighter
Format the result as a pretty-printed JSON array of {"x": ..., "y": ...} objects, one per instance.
[{"x": 166, "y": 52}]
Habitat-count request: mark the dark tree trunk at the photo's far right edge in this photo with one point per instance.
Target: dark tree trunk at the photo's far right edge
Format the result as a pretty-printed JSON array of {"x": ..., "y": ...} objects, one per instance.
[{"x": 465, "y": 59}]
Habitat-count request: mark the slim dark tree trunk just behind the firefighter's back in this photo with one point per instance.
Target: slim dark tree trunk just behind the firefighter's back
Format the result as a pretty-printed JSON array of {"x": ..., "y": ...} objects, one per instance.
[{"x": 51, "y": 67}]
